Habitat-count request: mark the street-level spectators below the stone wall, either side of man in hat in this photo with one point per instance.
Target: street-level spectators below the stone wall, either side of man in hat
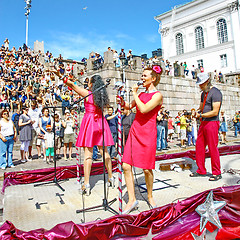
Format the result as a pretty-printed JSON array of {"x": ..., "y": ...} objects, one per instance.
[{"x": 184, "y": 127}]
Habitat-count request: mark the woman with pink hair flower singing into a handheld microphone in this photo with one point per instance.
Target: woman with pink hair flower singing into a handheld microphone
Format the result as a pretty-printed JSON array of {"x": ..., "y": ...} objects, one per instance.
[{"x": 141, "y": 144}]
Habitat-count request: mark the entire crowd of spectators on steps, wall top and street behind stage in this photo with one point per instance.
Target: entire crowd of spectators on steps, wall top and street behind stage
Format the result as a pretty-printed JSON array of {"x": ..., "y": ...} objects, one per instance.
[{"x": 28, "y": 87}]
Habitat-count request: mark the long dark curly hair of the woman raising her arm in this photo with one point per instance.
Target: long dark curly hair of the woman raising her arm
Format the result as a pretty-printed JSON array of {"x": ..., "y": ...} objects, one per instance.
[{"x": 97, "y": 82}]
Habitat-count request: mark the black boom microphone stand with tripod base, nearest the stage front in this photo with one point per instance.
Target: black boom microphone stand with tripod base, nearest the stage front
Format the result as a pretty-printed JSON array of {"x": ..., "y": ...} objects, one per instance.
[{"x": 105, "y": 204}]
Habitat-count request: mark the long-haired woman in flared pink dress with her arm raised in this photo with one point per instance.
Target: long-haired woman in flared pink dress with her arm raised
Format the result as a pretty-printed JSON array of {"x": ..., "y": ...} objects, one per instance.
[{"x": 90, "y": 133}]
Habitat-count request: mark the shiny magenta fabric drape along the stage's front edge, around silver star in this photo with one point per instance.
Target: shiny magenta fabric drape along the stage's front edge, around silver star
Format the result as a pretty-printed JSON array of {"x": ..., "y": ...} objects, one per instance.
[{"x": 170, "y": 222}]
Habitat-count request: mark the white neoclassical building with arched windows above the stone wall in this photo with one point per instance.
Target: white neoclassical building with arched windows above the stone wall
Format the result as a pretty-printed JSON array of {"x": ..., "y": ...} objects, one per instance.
[{"x": 203, "y": 32}]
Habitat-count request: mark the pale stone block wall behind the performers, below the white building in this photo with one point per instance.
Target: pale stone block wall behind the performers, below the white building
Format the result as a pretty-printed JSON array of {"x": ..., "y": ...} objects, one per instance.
[{"x": 178, "y": 93}]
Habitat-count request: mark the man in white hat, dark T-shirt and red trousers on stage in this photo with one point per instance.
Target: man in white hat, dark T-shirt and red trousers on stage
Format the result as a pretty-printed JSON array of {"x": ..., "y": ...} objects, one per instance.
[{"x": 210, "y": 104}]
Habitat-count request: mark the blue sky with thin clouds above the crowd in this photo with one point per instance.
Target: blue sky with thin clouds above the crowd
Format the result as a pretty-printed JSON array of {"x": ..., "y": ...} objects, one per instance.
[{"x": 74, "y": 28}]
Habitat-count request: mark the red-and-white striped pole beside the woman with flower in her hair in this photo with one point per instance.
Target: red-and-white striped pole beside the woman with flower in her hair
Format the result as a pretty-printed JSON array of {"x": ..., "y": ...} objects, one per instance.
[{"x": 119, "y": 154}]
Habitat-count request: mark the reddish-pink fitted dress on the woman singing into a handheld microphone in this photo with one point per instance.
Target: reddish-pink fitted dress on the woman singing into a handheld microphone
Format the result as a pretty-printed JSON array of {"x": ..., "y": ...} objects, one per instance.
[{"x": 140, "y": 149}]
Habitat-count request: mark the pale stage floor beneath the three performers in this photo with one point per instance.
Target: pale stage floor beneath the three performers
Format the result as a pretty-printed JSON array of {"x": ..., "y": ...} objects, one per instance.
[{"x": 31, "y": 207}]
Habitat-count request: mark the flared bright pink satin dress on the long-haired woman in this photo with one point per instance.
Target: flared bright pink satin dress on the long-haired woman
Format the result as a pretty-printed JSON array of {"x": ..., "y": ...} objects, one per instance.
[{"x": 90, "y": 133}]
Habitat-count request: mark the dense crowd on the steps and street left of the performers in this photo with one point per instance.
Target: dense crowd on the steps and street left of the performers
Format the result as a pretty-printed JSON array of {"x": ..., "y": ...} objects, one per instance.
[{"x": 27, "y": 89}]
